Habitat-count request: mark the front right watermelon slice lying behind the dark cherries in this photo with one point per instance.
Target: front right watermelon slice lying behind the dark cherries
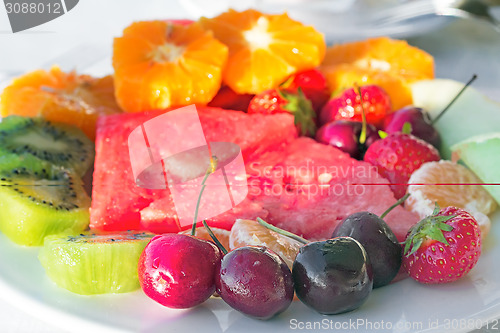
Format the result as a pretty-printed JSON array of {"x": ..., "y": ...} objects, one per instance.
[{"x": 314, "y": 187}]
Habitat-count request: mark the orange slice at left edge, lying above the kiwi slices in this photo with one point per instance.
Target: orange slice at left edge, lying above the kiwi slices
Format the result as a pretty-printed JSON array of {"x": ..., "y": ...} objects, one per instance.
[{"x": 60, "y": 97}]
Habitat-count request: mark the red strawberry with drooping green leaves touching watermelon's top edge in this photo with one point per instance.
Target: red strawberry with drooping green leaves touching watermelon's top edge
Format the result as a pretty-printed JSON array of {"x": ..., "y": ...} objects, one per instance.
[{"x": 285, "y": 101}]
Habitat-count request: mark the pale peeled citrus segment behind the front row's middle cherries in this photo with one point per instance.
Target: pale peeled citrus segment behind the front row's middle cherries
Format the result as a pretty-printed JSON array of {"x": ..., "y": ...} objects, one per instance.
[{"x": 249, "y": 232}]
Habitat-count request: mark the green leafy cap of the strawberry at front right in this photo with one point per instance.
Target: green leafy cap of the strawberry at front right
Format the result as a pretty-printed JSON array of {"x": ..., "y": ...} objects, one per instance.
[{"x": 430, "y": 228}]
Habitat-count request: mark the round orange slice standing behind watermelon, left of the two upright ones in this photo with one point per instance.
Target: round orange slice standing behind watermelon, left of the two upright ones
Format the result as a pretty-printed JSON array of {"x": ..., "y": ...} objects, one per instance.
[{"x": 160, "y": 64}]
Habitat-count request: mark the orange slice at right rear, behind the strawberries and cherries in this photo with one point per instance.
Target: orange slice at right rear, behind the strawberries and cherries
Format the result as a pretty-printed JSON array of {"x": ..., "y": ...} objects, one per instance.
[{"x": 391, "y": 64}]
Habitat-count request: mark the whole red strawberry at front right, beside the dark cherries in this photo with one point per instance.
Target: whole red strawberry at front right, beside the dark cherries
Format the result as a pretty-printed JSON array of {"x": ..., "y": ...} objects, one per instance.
[{"x": 442, "y": 247}]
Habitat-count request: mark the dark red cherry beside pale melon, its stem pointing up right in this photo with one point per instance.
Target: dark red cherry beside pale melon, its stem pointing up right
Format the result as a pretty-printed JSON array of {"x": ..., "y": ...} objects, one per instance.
[{"x": 419, "y": 120}]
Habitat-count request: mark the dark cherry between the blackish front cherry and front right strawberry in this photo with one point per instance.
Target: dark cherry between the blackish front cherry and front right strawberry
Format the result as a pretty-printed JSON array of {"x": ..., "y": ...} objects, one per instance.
[{"x": 379, "y": 241}]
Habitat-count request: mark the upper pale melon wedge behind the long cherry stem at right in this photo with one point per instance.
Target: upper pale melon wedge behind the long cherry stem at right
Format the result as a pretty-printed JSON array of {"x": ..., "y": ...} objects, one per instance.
[{"x": 472, "y": 113}]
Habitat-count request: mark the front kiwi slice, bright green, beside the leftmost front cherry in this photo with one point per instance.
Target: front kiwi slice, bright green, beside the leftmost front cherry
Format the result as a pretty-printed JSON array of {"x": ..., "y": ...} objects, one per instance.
[{"x": 90, "y": 263}]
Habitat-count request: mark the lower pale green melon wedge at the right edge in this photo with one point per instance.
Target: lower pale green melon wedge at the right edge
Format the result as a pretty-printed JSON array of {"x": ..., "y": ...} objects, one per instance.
[{"x": 482, "y": 155}]
